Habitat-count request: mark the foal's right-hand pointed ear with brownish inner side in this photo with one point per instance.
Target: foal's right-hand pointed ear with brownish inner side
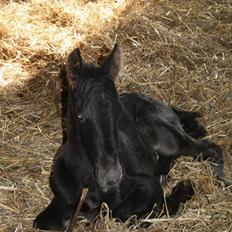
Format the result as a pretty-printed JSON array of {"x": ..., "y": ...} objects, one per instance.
[{"x": 111, "y": 66}]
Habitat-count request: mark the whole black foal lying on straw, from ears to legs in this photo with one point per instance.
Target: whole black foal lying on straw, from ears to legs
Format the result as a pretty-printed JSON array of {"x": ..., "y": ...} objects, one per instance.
[{"x": 119, "y": 147}]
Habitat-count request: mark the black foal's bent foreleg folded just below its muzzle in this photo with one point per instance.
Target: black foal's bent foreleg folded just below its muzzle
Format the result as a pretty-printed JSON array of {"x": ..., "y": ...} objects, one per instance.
[{"x": 137, "y": 196}]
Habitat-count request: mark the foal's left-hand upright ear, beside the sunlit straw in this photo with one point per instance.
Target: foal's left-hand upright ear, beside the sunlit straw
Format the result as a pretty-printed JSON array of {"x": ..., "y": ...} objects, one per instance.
[{"x": 73, "y": 67}]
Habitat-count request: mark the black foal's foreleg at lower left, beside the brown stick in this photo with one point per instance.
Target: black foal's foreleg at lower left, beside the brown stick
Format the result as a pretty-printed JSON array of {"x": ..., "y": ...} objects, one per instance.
[{"x": 66, "y": 191}]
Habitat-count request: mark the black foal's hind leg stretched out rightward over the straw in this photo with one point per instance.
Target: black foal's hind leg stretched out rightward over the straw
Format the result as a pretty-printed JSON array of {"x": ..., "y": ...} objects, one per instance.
[{"x": 173, "y": 142}]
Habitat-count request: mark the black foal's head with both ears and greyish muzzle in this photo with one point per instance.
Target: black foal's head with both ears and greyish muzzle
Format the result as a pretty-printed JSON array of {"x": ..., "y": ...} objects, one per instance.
[{"x": 95, "y": 111}]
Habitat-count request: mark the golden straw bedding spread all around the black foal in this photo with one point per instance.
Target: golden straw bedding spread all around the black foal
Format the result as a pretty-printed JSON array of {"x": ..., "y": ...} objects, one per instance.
[{"x": 177, "y": 51}]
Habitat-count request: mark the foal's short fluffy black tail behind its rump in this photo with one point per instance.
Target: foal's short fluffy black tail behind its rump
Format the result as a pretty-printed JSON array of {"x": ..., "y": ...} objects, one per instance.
[{"x": 190, "y": 123}]
